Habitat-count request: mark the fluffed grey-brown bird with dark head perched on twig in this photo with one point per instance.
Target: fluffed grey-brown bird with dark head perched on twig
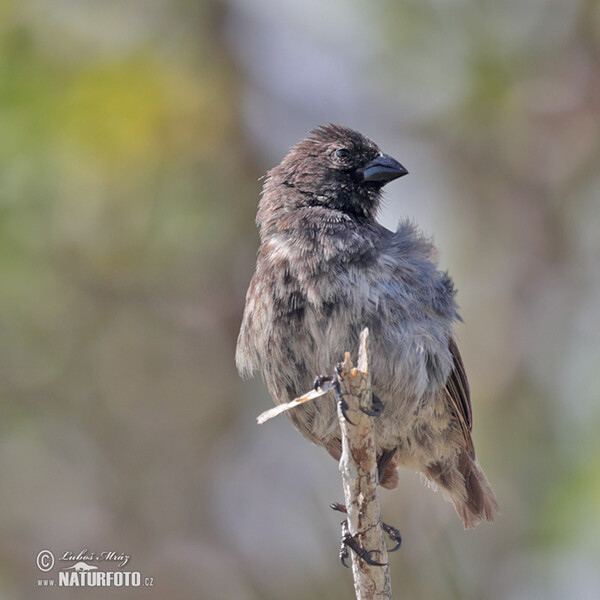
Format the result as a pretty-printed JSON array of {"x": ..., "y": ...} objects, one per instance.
[{"x": 325, "y": 269}]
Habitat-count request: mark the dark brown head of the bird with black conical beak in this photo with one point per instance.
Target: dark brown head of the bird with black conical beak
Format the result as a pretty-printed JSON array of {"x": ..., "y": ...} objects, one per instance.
[{"x": 337, "y": 168}]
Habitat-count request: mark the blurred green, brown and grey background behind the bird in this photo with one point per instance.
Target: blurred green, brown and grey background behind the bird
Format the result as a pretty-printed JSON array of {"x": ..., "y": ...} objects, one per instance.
[{"x": 132, "y": 138}]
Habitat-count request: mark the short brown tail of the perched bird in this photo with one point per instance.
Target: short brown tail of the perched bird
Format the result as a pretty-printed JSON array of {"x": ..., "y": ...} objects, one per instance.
[{"x": 467, "y": 487}]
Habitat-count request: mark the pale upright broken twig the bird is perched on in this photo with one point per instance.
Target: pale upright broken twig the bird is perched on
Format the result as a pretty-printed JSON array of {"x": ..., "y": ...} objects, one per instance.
[{"x": 358, "y": 466}]
